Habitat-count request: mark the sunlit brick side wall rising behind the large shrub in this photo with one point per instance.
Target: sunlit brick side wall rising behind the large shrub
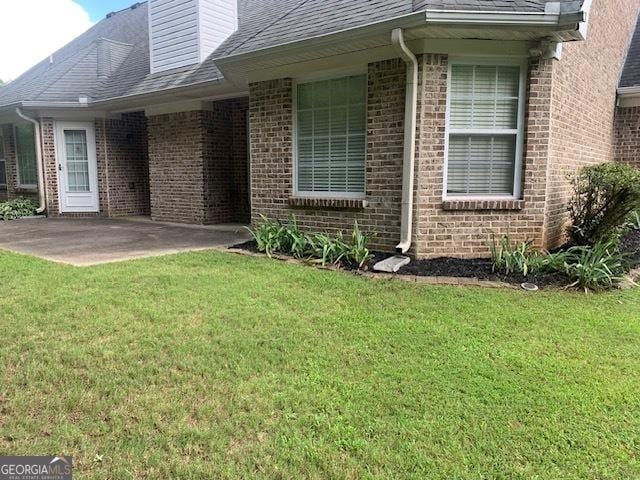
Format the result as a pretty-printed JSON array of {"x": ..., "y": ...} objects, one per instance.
[{"x": 583, "y": 104}]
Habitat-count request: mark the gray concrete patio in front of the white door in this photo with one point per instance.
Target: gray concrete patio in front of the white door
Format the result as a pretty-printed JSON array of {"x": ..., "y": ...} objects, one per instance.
[{"x": 91, "y": 241}]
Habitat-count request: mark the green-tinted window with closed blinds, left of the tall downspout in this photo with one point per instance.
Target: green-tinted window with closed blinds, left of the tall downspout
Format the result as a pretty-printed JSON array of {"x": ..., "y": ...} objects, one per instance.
[{"x": 331, "y": 122}]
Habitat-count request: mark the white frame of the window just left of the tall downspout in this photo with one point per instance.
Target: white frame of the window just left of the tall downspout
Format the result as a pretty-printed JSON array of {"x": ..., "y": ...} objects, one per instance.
[{"x": 318, "y": 77}]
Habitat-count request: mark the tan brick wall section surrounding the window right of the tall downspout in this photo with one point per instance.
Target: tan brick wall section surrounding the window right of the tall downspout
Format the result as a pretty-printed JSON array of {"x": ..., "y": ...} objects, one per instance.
[{"x": 466, "y": 228}]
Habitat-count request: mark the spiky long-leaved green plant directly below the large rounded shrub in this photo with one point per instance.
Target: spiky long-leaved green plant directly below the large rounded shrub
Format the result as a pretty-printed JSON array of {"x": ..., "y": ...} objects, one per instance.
[{"x": 595, "y": 268}]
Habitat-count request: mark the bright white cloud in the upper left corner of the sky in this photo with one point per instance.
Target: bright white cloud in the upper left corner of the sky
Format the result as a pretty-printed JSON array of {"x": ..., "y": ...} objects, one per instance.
[{"x": 31, "y": 30}]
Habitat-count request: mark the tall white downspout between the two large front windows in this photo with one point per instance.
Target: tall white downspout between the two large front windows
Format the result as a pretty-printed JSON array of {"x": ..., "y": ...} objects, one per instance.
[{"x": 409, "y": 155}]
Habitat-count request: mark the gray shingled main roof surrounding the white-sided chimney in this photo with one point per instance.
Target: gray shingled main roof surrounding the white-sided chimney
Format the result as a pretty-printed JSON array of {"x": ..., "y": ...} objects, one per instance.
[{"x": 73, "y": 71}]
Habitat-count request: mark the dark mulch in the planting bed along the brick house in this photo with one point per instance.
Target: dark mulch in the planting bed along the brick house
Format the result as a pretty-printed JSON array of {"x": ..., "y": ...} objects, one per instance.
[{"x": 477, "y": 268}]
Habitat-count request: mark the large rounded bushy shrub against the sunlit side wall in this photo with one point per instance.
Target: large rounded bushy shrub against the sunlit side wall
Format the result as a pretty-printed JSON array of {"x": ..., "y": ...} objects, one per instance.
[{"x": 604, "y": 197}]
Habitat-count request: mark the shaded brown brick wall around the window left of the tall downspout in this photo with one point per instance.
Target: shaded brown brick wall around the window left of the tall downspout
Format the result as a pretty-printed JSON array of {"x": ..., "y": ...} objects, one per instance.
[{"x": 271, "y": 119}]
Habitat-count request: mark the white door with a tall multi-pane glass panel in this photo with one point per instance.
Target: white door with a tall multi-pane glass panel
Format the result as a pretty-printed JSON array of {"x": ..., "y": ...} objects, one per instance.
[{"x": 77, "y": 167}]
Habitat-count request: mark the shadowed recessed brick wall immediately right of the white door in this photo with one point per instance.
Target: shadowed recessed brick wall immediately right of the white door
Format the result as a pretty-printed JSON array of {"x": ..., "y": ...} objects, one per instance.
[{"x": 123, "y": 171}]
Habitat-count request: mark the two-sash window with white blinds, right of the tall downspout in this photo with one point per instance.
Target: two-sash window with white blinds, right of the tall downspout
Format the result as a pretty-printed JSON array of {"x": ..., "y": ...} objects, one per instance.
[{"x": 484, "y": 130}]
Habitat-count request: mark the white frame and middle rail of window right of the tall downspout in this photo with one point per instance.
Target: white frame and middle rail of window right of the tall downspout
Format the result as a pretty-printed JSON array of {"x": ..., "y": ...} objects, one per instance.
[{"x": 519, "y": 131}]
